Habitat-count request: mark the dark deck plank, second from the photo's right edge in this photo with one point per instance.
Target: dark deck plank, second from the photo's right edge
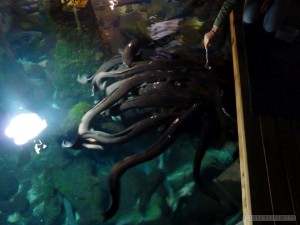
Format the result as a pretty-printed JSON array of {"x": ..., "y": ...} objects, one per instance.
[{"x": 279, "y": 185}]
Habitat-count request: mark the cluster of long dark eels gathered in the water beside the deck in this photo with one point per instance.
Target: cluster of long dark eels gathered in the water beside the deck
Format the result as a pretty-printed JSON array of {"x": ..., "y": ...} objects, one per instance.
[{"x": 165, "y": 94}]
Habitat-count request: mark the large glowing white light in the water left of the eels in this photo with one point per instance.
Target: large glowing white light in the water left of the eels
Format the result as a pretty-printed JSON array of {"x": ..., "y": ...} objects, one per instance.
[{"x": 25, "y": 127}]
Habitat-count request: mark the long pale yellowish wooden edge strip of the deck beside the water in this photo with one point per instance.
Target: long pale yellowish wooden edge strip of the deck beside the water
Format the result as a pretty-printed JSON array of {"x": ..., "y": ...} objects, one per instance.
[{"x": 245, "y": 184}]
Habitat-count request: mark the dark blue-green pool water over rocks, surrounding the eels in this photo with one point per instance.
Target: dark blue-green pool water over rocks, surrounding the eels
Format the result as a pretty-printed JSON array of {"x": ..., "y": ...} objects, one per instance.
[{"x": 45, "y": 45}]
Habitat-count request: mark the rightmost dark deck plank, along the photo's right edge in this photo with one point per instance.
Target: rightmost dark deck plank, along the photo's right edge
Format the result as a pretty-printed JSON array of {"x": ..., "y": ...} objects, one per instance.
[{"x": 289, "y": 143}]
